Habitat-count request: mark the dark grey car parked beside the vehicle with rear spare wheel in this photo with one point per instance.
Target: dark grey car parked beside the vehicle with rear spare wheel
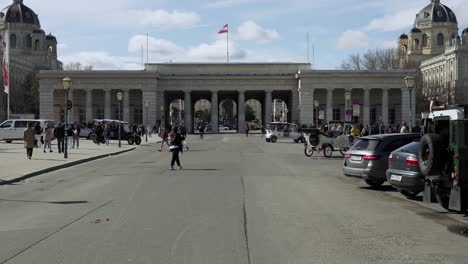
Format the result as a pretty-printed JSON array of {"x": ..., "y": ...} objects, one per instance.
[{"x": 403, "y": 170}]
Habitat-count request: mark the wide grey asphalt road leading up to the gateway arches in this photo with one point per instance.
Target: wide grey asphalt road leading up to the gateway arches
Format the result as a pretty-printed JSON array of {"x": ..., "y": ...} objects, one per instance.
[{"x": 237, "y": 201}]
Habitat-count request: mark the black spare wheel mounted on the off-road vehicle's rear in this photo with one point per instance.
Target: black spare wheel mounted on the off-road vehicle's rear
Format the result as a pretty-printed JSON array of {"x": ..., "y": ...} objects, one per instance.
[{"x": 430, "y": 154}]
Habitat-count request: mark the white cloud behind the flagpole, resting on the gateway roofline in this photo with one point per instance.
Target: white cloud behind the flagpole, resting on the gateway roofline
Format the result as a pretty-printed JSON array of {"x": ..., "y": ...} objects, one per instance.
[{"x": 216, "y": 51}]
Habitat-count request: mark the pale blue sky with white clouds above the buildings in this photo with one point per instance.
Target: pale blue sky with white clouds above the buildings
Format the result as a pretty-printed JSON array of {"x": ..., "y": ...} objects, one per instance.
[{"x": 109, "y": 34}]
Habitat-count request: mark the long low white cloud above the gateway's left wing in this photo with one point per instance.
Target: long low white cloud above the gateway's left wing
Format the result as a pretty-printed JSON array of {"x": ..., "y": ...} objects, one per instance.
[{"x": 103, "y": 61}]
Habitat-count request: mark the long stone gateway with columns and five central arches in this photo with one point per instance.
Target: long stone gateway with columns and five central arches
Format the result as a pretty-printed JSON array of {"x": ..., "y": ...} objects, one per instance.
[{"x": 378, "y": 96}]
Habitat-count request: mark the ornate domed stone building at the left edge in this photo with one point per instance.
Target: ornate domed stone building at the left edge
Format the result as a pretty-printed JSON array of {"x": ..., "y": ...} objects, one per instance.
[{"x": 31, "y": 50}]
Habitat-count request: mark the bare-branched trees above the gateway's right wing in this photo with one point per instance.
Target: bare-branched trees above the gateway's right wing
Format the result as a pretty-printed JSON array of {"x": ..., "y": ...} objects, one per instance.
[{"x": 377, "y": 59}]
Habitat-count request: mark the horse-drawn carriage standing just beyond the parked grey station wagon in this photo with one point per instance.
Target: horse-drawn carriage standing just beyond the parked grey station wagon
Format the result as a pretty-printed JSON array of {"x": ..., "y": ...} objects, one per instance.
[{"x": 336, "y": 138}]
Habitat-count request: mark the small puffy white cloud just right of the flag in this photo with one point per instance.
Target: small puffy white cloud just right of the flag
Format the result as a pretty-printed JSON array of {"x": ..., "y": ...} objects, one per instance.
[{"x": 250, "y": 30}]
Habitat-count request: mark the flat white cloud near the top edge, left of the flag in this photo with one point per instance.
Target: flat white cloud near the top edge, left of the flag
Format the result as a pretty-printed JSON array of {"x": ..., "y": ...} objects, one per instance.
[{"x": 163, "y": 18}]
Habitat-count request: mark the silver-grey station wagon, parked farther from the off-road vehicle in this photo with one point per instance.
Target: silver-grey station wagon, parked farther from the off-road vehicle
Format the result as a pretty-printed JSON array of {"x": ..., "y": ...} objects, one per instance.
[{"x": 368, "y": 158}]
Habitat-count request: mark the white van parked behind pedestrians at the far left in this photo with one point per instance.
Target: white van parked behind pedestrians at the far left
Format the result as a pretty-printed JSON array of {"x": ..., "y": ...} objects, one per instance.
[{"x": 13, "y": 129}]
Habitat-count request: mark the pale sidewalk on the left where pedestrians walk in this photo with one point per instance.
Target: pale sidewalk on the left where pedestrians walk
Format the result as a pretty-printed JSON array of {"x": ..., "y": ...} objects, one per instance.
[{"x": 15, "y": 166}]
